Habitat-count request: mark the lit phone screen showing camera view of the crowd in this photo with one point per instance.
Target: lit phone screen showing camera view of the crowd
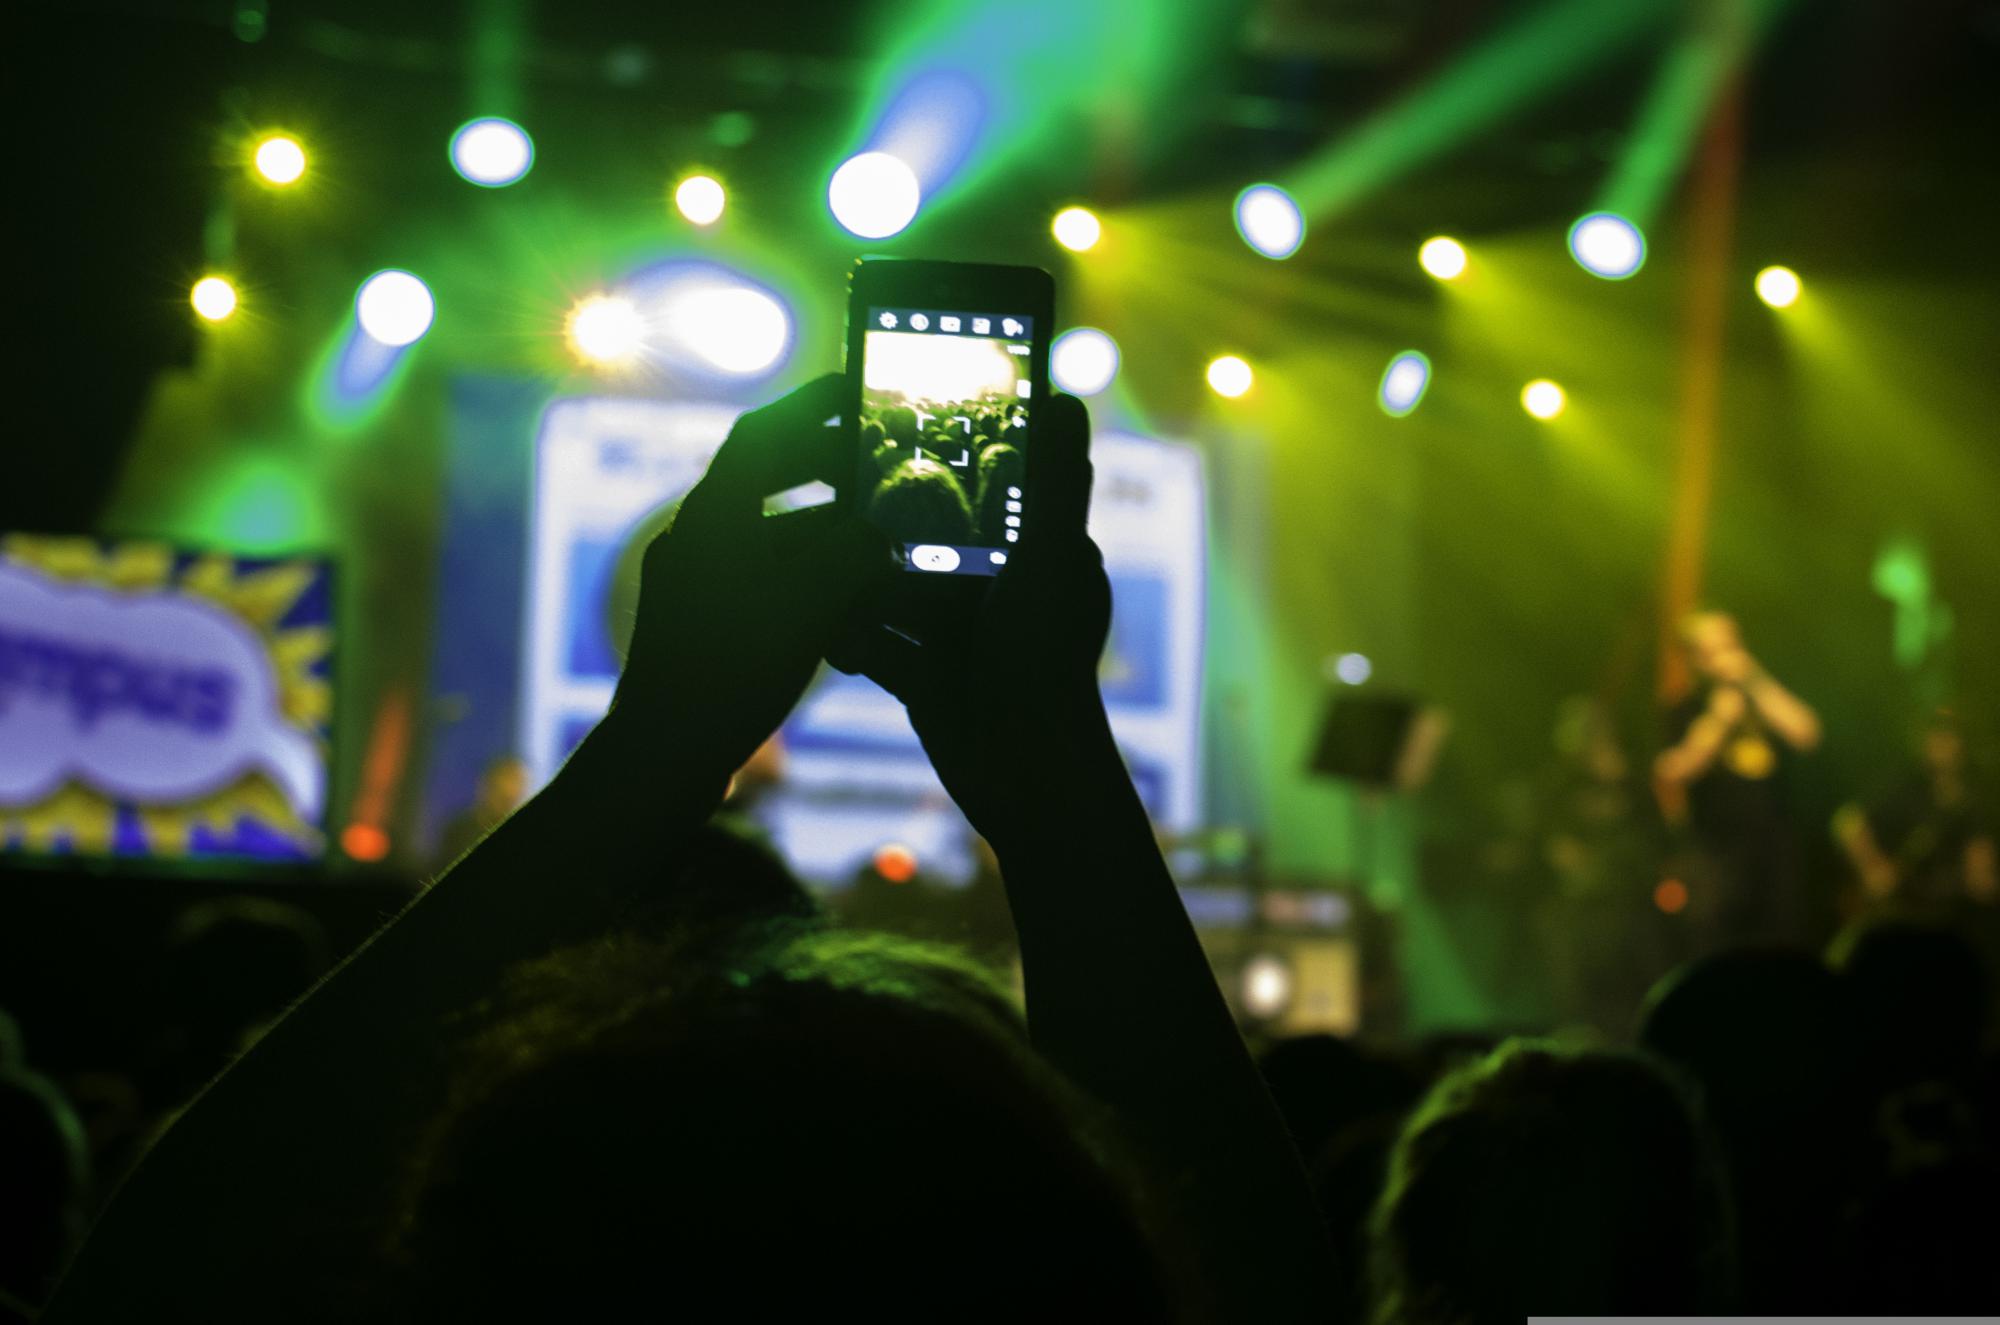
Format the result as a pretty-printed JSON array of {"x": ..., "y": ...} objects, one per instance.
[{"x": 945, "y": 427}]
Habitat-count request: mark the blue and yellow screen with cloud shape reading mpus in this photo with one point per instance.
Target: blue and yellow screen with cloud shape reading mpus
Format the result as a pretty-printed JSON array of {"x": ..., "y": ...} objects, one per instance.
[{"x": 163, "y": 704}]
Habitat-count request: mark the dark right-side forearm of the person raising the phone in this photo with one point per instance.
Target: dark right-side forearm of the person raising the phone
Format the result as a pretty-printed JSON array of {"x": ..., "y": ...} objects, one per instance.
[{"x": 1123, "y": 1000}]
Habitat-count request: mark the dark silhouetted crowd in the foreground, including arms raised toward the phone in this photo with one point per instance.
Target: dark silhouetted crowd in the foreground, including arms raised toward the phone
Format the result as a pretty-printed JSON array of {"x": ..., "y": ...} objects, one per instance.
[{"x": 617, "y": 1064}]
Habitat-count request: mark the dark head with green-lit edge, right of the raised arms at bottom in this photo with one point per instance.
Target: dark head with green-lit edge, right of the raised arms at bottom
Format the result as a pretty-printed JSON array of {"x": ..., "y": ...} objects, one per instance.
[{"x": 1549, "y": 1182}]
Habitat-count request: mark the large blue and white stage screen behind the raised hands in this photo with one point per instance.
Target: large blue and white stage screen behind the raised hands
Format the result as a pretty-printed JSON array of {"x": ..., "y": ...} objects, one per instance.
[{"x": 547, "y": 537}]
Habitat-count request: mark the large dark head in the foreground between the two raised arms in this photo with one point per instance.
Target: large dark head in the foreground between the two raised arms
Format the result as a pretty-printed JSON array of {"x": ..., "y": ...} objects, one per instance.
[{"x": 801, "y": 1122}]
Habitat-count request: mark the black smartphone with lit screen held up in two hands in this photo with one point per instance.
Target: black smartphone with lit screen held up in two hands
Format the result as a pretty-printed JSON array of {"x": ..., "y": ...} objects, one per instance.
[{"x": 947, "y": 363}]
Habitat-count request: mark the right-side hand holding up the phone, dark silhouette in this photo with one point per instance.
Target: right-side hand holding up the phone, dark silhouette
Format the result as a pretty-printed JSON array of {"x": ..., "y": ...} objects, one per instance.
[{"x": 1009, "y": 702}]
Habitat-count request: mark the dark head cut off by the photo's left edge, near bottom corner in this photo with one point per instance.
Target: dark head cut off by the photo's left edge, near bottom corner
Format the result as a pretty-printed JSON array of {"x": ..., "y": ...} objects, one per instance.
[{"x": 45, "y": 1176}]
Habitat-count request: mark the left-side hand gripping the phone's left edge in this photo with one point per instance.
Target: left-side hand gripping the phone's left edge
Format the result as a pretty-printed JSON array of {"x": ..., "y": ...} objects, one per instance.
[{"x": 737, "y": 607}]
